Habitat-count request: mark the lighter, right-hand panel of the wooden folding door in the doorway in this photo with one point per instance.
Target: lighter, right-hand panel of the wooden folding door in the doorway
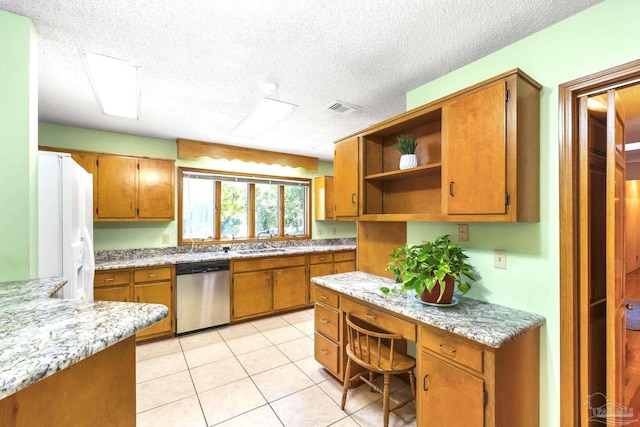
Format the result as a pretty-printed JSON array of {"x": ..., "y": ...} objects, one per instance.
[{"x": 616, "y": 174}]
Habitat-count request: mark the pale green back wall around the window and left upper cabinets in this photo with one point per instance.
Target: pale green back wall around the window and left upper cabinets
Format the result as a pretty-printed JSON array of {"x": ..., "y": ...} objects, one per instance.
[{"x": 149, "y": 234}]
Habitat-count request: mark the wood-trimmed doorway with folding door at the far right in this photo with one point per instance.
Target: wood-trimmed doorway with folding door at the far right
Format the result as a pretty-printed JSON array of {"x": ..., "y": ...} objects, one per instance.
[{"x": 592, "y": 187}]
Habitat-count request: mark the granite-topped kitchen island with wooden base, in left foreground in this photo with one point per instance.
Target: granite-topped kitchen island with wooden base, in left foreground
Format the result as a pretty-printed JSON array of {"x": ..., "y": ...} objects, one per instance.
[{"x": 67, "y": 362}]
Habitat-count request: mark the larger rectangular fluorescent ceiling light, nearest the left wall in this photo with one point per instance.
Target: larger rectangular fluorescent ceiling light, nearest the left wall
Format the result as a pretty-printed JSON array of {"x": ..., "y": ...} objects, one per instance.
[{"x": 115, "y": 83}]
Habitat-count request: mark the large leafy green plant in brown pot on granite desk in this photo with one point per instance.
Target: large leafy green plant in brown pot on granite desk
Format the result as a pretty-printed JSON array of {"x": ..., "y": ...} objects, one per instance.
[{"x": 432, "y": 269}]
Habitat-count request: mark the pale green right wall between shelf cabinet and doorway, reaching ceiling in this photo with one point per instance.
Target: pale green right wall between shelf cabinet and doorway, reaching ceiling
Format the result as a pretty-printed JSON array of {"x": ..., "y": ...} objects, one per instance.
[{"x": 601, "y": 37}]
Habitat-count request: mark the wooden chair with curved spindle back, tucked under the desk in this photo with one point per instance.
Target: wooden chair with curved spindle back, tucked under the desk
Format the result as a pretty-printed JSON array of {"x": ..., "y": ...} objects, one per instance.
[{"x": 375, "y": 351}]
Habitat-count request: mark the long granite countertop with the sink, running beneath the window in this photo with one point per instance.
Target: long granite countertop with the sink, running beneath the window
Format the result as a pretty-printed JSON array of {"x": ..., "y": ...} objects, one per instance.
[{"x": 148, "y": 258}]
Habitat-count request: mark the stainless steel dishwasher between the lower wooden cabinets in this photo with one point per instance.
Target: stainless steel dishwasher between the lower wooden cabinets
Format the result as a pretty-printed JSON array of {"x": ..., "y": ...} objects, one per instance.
[{"x": 202, "y": 295}]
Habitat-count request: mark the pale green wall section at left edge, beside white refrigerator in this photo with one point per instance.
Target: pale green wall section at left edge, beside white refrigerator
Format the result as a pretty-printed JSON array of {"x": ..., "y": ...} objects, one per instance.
[{"x": 18, "y": 149}]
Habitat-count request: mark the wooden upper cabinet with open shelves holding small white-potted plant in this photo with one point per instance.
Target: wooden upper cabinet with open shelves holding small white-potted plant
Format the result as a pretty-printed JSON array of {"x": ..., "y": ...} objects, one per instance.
[{"x": 478, "y": 158}]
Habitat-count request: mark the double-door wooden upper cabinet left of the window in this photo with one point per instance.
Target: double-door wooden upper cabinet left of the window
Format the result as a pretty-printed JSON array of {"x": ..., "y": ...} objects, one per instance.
[{"x": 127, "y": 188}]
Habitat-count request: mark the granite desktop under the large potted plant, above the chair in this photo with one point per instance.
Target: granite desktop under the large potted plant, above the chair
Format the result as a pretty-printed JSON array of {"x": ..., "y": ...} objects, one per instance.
[{"x": 489, "y": 324}]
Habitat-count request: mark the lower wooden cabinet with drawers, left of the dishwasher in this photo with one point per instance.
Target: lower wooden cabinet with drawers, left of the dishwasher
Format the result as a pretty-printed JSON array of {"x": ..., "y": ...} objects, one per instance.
[{"x": 154, "y": 285}]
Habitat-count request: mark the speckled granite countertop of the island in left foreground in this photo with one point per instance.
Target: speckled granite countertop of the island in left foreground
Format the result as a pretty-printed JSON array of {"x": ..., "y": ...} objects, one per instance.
[{"x": 40, "y": 336}]
